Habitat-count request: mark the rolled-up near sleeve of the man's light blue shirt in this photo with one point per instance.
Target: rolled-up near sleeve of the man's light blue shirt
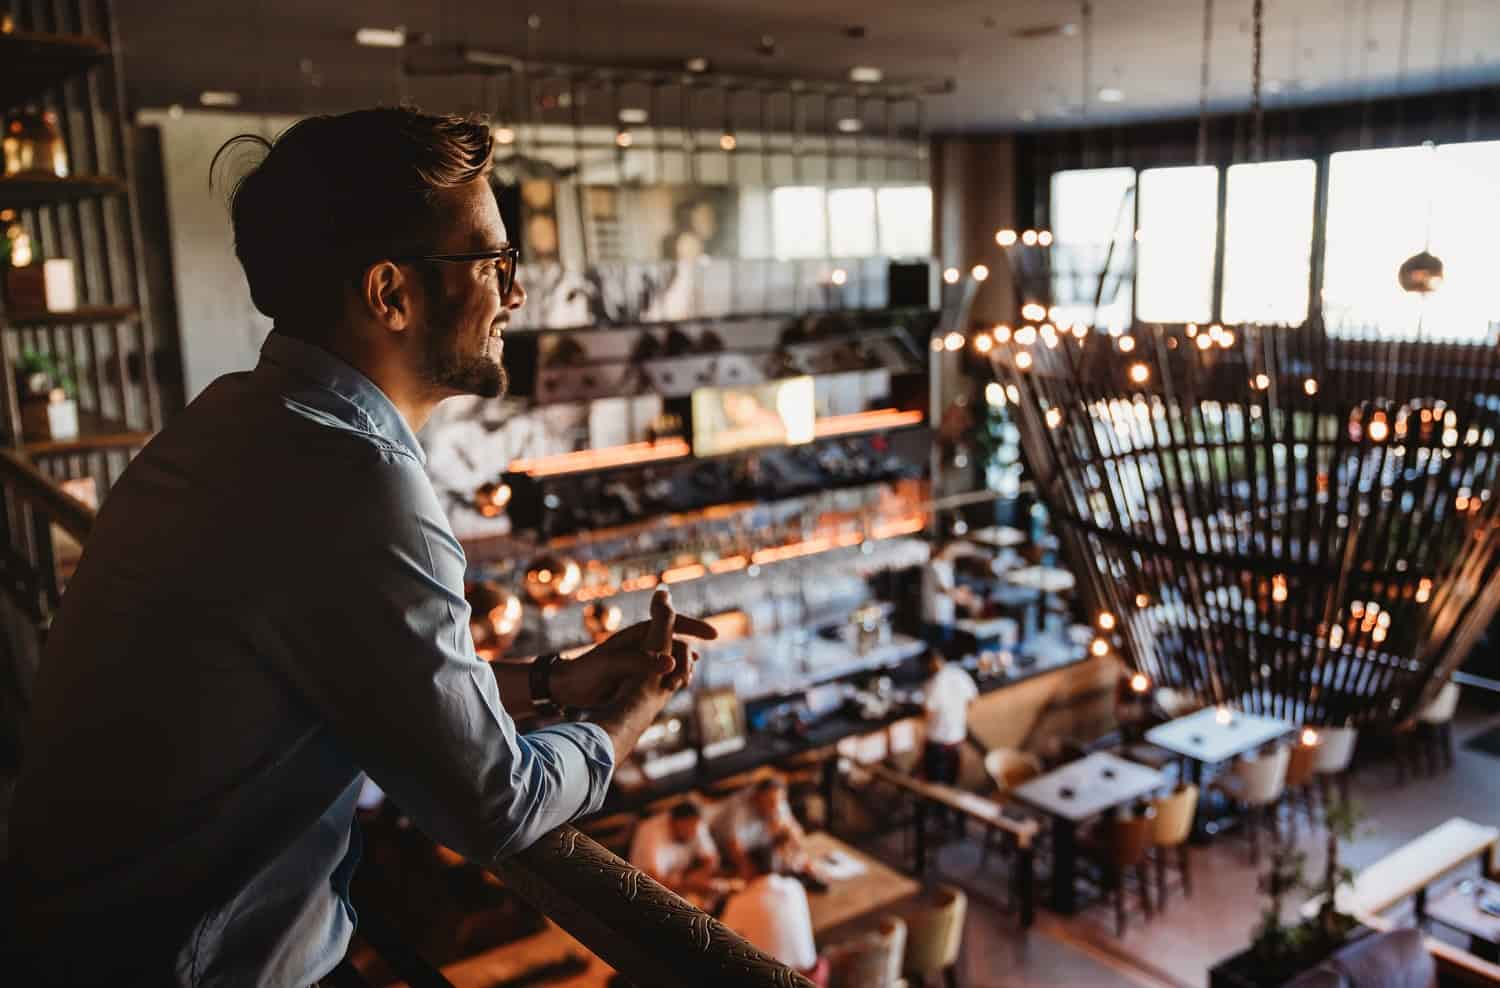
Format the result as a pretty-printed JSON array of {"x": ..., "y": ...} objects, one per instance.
[{"x": 388, "y": 659}]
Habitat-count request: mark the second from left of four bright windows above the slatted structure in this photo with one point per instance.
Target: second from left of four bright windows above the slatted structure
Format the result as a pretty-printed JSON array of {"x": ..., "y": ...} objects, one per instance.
[{"x": 1178, "y": 232}]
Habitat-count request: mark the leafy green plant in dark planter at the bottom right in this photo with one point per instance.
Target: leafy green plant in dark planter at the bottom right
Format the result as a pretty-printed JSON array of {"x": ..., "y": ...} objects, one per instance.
[{"x": 1280, "y": 953}]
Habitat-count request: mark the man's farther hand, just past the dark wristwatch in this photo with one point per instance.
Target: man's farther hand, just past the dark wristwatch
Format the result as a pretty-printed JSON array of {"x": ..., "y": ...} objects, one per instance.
[{"x": 601, "y": 677}]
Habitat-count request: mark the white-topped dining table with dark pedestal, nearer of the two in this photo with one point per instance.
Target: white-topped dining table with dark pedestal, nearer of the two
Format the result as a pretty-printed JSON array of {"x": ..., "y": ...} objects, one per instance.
[{"x": 1075, "y": 794}]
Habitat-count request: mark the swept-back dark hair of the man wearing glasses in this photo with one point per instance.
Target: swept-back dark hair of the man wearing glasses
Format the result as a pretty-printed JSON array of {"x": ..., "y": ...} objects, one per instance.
[{"x": 335, "y": 194}]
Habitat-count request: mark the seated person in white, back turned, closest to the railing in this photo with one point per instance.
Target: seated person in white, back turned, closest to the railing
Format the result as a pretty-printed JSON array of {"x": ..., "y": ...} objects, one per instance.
[{"x": 772, "y": 914}]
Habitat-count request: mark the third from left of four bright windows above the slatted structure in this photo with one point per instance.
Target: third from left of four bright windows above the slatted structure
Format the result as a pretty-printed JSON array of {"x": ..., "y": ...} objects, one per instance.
[{"x": 1268, "y": 242}]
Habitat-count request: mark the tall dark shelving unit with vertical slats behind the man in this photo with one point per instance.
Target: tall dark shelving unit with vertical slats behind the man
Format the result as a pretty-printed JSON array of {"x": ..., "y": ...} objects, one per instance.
[{"x": 62, "y": 58}]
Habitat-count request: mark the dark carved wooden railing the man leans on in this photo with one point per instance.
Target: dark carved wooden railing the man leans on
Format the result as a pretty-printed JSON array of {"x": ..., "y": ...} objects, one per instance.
[{"x": 637, "y": 926}]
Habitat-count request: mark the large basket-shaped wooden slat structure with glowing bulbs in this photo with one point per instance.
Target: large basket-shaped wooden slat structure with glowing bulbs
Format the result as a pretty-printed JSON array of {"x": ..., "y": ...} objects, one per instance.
[{"x": 1276, "y": 518}]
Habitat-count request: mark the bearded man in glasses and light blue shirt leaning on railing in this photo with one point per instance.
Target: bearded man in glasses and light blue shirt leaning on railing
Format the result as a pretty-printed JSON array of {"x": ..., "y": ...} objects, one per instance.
[{"x": 272, "y": 603}]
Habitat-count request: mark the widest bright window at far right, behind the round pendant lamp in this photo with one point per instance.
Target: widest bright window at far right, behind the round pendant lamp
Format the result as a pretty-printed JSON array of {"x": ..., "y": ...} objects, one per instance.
[{"x": 1388, "y": 205}]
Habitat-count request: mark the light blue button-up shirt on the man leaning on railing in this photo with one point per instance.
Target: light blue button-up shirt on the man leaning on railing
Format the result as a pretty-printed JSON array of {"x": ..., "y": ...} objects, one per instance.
[{"x": 269, "y": 608}]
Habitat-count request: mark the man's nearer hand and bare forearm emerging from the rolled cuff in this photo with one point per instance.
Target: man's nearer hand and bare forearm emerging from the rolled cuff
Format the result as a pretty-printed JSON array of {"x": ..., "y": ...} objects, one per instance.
[{"x": 647, "y": 674}]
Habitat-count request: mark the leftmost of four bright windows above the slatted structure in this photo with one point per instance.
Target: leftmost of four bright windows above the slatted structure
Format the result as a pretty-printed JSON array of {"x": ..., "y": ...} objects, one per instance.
[{"x": 1093, "y": 224}]
